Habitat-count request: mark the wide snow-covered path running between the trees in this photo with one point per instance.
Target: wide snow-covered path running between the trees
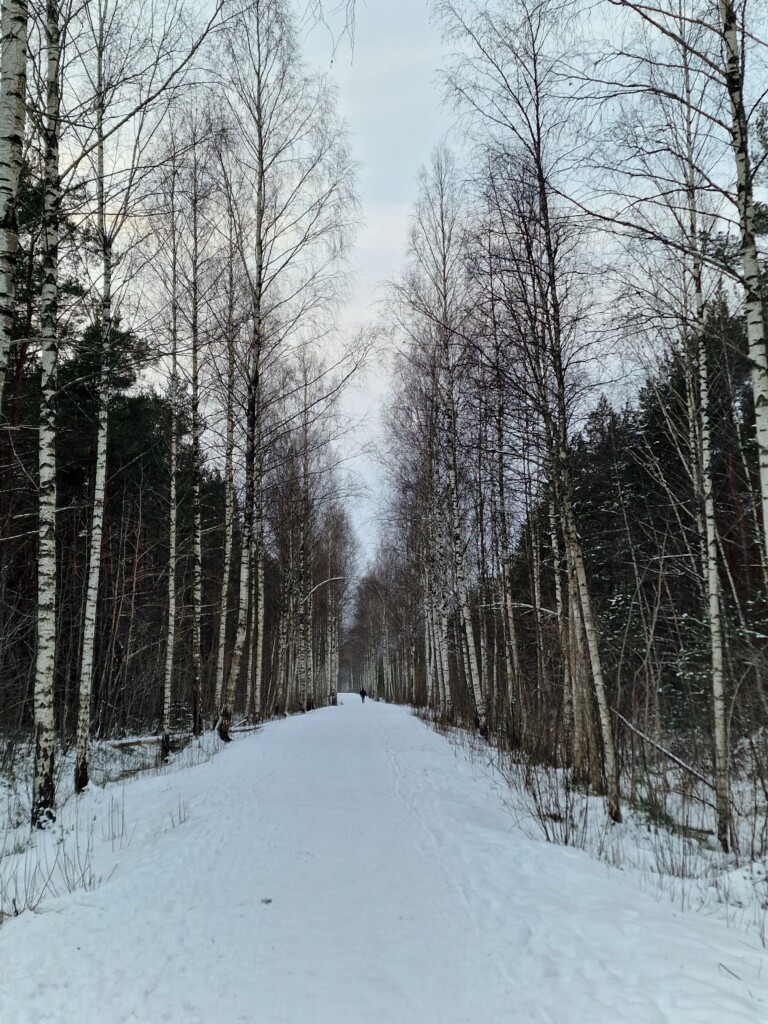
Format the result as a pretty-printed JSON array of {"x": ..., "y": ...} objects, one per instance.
[{"x": 349, "y": 867}]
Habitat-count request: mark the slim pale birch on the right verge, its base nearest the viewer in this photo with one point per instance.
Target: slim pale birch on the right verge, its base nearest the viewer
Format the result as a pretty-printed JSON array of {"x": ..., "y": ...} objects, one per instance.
[{"x": 678, "y": 212}]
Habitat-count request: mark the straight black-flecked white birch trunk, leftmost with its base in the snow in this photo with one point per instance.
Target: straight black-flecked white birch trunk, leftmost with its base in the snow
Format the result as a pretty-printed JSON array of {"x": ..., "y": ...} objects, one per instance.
[{"x": 44, "y": 792}]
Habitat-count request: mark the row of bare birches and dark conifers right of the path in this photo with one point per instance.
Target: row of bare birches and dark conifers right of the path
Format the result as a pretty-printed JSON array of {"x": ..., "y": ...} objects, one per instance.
[{"x": 575, "y": 550}]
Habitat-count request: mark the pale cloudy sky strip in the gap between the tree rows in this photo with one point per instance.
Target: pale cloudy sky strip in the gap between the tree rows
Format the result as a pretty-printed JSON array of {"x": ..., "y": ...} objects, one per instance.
[{"x": 390, "y": 96}]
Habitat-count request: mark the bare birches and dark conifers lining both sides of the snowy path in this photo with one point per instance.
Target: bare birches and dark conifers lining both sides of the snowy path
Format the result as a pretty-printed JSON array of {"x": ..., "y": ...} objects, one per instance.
[{"x": 573, "y": 554}]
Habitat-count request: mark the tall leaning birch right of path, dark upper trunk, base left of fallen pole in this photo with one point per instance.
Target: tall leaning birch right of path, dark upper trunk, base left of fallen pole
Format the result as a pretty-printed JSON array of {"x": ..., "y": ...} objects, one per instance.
[{"x": 511, "y": 79}]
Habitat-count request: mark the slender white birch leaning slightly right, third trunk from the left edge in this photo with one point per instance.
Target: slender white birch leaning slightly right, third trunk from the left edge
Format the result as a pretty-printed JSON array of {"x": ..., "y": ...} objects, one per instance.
[{"x": 134, "y": 65}]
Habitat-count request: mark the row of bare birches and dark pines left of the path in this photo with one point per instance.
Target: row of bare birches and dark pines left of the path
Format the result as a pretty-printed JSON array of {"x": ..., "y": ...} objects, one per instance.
[{"x": 177, "y": 199}]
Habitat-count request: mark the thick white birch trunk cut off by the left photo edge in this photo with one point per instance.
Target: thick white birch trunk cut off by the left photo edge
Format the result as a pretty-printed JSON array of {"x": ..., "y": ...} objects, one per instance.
[{"x": 14, "y": 26}]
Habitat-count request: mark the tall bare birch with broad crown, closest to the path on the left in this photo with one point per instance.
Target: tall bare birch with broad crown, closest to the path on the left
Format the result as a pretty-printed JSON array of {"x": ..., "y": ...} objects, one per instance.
[{"x": 293, "y": 159}]
